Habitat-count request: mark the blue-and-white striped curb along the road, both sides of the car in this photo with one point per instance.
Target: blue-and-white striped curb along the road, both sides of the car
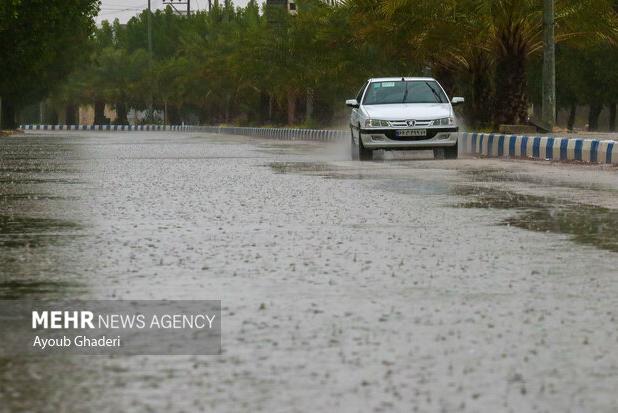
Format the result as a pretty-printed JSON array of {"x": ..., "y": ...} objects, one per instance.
[{"x": 479, "y": 144}]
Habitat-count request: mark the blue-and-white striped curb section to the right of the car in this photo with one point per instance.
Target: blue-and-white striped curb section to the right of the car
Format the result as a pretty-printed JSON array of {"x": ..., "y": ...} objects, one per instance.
[{"x": 539, "y": 147}]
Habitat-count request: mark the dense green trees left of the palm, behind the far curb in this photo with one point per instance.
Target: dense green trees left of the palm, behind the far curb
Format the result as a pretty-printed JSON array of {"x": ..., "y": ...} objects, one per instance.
[{"x": 229, "y": 65}]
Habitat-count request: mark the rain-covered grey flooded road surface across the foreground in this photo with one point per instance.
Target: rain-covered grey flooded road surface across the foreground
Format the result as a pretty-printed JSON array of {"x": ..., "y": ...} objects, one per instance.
[{"x": 394, "y": 285}]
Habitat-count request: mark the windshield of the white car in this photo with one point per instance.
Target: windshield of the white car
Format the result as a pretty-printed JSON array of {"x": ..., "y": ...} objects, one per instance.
[{"x": 415, "y": 91}]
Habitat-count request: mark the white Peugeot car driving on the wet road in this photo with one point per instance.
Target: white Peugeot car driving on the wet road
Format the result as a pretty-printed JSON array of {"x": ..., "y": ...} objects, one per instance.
[{"x": 402, "y": 113}]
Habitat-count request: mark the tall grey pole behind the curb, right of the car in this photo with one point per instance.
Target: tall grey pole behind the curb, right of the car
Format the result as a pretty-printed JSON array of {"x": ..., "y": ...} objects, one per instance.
[{"x": 549, "y": 64}]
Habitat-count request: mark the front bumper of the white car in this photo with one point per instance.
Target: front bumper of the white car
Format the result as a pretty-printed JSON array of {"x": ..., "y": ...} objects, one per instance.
[{"x": 387, "y": 139}]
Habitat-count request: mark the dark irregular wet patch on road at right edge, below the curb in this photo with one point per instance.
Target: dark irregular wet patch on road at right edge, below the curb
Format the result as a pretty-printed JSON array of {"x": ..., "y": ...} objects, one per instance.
[{"x": 586, "y": 224}]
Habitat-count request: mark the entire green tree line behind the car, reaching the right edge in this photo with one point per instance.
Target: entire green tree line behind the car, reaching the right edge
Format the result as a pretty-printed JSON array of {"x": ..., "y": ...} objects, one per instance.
[{"x": 252, "y": 66}]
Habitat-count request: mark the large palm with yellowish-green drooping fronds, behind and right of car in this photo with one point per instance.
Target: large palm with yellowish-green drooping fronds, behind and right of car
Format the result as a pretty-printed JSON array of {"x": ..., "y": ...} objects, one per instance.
[{"x": 484, "y": 38}]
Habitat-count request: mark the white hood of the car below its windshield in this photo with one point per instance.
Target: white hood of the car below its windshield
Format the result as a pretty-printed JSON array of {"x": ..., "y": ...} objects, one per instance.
[{"x": 405, "y": 111}]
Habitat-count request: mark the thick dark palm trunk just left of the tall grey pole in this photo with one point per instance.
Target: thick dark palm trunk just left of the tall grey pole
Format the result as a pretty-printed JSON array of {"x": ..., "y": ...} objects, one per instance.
[{"x": 511, "y": 105}]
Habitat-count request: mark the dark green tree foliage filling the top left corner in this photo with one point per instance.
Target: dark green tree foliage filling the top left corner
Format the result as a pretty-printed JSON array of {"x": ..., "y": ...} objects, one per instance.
[{"x": 40, "y": 43}]
